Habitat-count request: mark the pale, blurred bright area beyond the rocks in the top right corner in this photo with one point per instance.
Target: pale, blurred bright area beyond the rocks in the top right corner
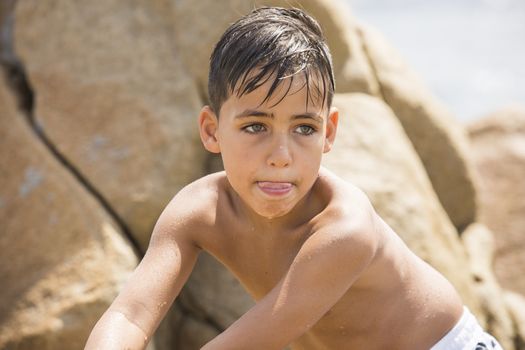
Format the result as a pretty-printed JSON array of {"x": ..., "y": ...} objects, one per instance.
[{"x": 470, "y": 53}]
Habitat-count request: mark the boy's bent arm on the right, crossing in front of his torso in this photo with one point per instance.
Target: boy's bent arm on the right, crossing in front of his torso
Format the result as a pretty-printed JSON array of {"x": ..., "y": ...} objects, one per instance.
[{"x": 323, "y": 270}]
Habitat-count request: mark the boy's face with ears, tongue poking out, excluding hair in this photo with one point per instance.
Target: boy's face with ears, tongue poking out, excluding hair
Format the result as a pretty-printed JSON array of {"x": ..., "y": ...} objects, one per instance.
[{"x": 271, "y": 151}]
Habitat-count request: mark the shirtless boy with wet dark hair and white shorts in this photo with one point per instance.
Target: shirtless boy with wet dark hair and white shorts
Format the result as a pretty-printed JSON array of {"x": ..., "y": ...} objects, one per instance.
[{"x": 326, "y": 271}]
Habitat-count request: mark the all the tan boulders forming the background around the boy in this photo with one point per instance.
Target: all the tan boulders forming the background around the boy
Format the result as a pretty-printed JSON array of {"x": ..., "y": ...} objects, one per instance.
[{"x": 98, "y": 107}]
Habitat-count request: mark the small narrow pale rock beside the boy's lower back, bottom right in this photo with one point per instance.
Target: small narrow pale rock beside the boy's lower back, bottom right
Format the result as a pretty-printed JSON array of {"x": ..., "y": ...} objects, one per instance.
[{"x": 479, "y": 243}]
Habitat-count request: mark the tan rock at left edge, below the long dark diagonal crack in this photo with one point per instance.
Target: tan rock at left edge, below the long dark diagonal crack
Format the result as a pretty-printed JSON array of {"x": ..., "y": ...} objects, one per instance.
[{"x": 63, "y": 258}]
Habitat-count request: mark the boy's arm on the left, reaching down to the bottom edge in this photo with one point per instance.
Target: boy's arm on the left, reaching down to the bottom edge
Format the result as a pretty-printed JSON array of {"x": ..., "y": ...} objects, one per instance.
[{"x": 137, "y": 311}]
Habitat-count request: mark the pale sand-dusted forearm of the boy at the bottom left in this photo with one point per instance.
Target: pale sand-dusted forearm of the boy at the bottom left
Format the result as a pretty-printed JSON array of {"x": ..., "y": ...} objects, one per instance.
[{"x": 114, "y": 331}]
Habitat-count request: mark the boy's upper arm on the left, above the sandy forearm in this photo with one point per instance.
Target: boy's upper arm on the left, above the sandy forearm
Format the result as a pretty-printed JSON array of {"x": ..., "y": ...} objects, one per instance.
[{"x": 161, "y": 274}]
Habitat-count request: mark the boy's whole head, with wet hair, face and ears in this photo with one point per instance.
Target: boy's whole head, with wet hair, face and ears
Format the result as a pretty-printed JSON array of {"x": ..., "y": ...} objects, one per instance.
[{"x": 271, "y": 81}]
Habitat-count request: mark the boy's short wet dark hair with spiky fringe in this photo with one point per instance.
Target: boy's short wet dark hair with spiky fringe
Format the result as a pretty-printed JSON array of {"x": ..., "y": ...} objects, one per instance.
[{"x": 271, "y": 43}]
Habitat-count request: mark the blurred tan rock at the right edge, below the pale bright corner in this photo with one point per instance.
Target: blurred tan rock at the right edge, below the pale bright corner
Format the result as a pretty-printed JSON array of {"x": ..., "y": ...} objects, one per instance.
[{"x": 498, "y": 147}]
